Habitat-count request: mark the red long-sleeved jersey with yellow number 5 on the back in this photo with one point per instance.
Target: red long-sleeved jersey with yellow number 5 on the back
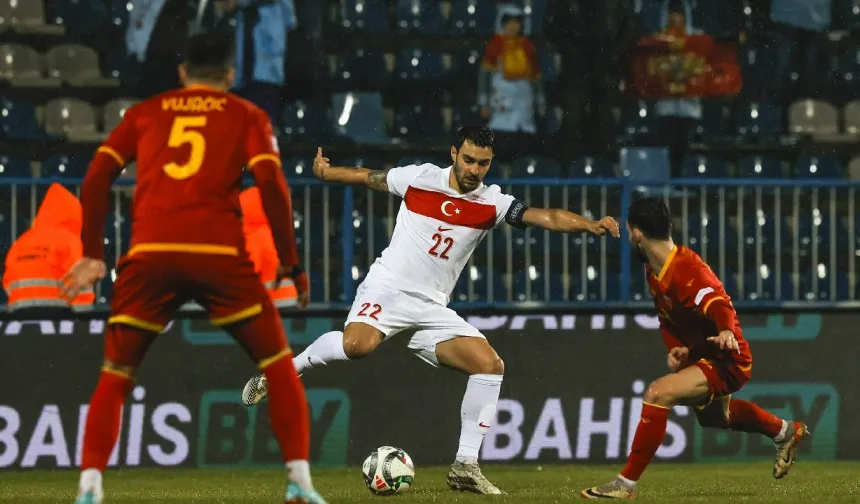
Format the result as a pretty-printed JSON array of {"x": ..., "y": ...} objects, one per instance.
[{"x": 190, "y": 146}]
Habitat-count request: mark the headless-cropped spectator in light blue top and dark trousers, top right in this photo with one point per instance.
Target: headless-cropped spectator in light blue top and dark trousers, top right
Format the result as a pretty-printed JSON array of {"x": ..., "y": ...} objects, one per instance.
[{"x": 800, "y": 34}]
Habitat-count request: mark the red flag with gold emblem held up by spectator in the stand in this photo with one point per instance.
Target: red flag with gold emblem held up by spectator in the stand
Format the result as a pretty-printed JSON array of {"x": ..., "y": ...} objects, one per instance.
[{"x": 678, "y": 66}]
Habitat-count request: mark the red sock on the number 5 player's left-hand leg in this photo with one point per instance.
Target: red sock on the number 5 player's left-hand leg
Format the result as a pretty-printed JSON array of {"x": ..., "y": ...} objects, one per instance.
[{"x": 103, "y": 420}]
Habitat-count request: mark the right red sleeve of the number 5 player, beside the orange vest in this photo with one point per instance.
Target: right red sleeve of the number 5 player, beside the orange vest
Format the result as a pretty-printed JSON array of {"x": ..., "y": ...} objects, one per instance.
[{"x": 264, "y": 161}]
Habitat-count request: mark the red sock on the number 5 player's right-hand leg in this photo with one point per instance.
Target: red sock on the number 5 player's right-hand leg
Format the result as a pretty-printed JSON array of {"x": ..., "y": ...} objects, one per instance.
[{"x": 288, "y": 409}]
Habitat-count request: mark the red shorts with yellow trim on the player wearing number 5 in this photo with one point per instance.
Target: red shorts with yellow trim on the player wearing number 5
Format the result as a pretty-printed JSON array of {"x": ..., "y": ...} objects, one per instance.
[{"x": 152, "y": 286}]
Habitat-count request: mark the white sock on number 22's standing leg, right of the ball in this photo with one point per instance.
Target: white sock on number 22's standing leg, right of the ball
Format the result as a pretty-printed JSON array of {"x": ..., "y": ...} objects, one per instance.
[{"x": 477, "y": 414}]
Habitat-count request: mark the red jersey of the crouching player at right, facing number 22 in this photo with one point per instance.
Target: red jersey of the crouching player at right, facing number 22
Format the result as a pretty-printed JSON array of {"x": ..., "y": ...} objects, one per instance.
[{"x": 693, "y": 306}]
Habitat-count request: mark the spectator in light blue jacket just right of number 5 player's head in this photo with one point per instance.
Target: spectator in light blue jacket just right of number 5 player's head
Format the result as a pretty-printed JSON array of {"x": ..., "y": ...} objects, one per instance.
[{"x": 261, "y": 28}]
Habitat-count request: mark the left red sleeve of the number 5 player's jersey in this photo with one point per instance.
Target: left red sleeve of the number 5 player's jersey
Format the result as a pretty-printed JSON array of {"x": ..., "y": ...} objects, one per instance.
[{"x": 106, "y": 165}]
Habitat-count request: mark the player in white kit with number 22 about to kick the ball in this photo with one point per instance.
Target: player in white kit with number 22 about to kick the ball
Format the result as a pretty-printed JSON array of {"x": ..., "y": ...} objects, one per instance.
[{"x": 445, "y": 214}]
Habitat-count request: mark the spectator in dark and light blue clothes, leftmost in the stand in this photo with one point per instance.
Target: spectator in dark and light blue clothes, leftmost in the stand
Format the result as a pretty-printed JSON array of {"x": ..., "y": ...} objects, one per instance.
[{"x": 156, "y": 36}]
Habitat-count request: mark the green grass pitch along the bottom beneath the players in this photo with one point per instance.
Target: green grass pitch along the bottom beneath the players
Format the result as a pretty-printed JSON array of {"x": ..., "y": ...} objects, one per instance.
[{"x": 833, "y": 482}]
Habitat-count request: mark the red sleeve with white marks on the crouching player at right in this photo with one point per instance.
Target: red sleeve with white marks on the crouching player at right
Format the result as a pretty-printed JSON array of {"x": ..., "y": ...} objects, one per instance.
[{"x": 701, "y": 291}]
